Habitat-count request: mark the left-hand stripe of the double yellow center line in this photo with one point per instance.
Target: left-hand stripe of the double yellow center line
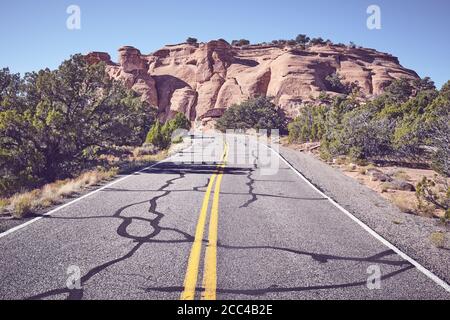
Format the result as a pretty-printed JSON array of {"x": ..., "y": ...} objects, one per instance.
[{"x": 190, "y": 280}]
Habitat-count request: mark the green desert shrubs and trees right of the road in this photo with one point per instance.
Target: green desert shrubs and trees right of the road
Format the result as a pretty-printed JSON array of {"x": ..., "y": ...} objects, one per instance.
[{"x": 408, "y": 125}]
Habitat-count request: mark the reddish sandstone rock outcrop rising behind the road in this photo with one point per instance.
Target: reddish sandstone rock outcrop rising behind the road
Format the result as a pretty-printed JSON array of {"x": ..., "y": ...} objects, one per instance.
[{"x": 194, "y": 79}]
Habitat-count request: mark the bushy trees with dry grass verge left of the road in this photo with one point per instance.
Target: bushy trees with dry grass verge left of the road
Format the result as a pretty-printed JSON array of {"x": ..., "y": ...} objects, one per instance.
[{"x": 68, "y": 129}]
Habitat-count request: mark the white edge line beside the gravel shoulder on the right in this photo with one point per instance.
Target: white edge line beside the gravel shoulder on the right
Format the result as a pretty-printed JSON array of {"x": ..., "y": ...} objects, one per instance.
[{"x": 416, "y": 264}]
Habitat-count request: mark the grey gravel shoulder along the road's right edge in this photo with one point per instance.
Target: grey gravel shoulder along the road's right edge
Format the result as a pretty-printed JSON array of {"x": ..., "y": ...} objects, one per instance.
[{"x": 411, "y": 234}]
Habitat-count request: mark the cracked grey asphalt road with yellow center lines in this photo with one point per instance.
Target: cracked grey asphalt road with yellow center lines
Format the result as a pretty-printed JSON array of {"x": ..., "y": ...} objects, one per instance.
[{"x": 206, "y": 227}]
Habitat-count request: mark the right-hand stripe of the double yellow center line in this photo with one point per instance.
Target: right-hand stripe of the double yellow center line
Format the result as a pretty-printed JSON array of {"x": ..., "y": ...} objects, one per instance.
[{"x": 210, "y": 269}]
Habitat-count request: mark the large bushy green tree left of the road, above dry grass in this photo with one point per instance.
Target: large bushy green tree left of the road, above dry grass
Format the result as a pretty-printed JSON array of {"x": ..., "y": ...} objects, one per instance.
[{"x": 63, "y": 119}]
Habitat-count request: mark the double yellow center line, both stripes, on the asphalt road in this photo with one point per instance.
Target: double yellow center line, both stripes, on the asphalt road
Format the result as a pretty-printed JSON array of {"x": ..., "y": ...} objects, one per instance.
[{"x": 210, "y": 265}]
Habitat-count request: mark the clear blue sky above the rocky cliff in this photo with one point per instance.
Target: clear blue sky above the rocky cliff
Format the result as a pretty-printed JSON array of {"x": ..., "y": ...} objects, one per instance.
[{"x": 34, "y": 33}]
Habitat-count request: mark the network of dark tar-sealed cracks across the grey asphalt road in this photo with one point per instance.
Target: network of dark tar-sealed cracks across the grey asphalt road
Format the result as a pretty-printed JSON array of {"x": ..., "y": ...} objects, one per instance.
[{"x": 155, "y": 217}]
